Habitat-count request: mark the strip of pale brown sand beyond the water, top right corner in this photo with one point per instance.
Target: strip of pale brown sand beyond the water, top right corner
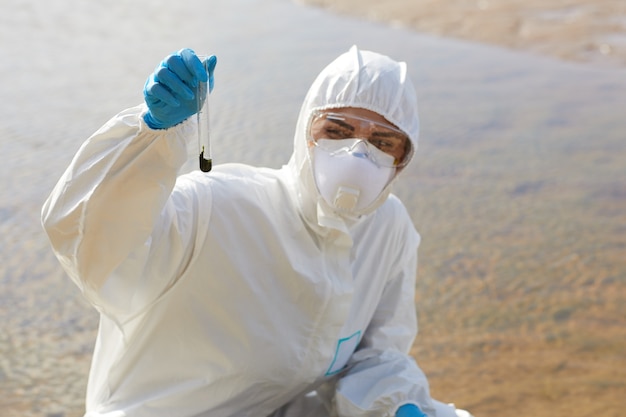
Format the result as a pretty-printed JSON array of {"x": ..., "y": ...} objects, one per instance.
[{"x": 575, "y": 30}]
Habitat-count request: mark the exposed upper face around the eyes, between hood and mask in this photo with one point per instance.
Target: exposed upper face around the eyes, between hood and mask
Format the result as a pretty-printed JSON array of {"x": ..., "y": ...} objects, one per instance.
[{"x": 350, "y": 122}]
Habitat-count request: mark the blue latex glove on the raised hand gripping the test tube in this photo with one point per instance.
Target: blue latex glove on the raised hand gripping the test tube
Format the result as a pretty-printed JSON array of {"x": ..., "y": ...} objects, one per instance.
[{"x": 170, "y": 92}]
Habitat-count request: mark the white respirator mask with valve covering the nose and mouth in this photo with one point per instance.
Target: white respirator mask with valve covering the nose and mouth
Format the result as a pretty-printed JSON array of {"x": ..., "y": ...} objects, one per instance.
[{"x": 349, "y": 174}]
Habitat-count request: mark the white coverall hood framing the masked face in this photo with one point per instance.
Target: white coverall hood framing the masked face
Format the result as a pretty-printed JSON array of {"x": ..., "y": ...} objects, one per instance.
[{"x": 361, "y": 79}]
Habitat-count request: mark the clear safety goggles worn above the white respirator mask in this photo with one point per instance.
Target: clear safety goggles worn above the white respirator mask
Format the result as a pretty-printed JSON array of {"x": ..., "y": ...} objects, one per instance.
[{"x": 387, "y": 146}]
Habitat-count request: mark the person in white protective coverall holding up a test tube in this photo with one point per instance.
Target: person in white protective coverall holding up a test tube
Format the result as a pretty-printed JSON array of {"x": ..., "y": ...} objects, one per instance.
[{"x": 250, "y": 291}]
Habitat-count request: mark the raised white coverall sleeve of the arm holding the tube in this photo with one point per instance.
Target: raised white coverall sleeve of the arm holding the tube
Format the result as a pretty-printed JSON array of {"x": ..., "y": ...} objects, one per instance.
[{"x": 113, "y": 221}]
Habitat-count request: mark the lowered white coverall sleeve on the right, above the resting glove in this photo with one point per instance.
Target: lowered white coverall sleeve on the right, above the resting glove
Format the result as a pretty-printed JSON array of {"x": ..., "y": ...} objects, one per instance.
[{"x": 381, "y": 374}]
